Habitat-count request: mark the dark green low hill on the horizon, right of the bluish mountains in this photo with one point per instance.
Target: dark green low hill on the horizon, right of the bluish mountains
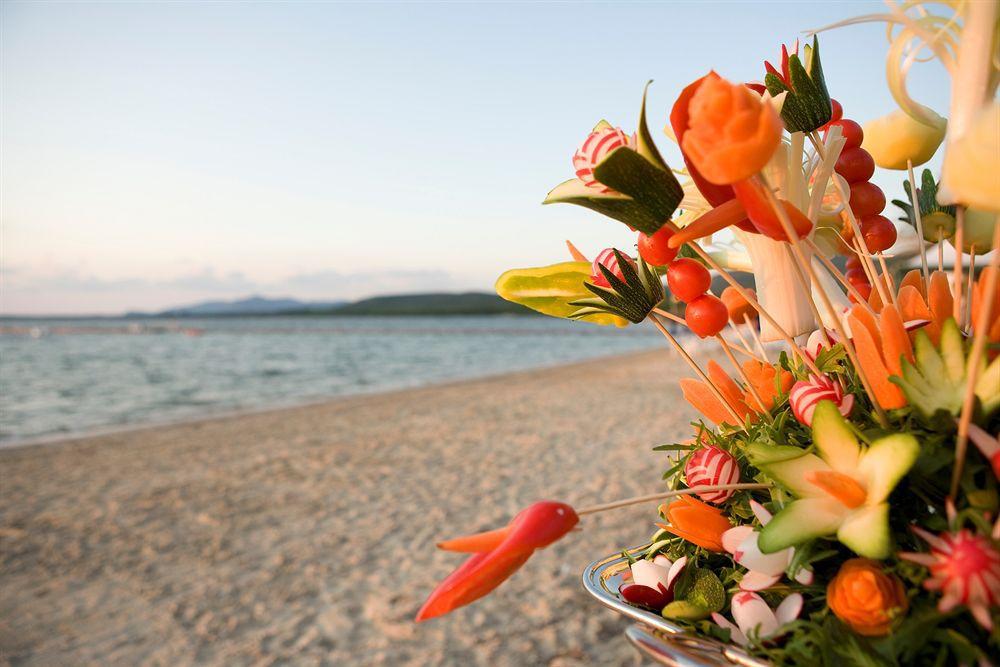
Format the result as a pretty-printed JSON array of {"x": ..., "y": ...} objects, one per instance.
[{"x": 468, "y": 303}]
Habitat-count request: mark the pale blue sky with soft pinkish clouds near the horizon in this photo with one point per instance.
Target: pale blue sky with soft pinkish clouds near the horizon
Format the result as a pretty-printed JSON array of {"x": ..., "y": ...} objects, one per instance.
[{"x": 159, "y": 153}]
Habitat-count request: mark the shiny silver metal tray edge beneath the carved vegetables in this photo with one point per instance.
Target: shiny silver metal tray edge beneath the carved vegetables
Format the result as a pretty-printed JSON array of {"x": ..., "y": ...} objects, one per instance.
[{"x": 656, "y": 637}]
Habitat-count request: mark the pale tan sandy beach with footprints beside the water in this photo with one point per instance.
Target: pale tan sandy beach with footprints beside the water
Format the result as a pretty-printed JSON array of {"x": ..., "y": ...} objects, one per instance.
[{"x": 306, "y": 535}]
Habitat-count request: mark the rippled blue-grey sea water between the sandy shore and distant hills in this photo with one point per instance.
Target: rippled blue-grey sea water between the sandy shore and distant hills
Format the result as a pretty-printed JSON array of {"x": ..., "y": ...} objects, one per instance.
[{"x": 60, "y": 378}]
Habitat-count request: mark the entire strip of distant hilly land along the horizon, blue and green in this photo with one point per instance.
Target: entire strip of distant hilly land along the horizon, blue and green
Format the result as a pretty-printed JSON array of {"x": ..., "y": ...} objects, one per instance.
[{"x": 436, "y": 304}]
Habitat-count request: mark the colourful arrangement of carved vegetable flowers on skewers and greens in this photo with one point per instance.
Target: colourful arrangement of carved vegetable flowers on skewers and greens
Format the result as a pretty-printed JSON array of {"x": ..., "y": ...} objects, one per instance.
[{"x": 836, "y": 499}]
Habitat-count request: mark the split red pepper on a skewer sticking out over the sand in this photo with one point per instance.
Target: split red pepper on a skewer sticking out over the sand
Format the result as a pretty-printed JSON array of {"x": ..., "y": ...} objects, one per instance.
[{"x": 497, "y": 555}]
